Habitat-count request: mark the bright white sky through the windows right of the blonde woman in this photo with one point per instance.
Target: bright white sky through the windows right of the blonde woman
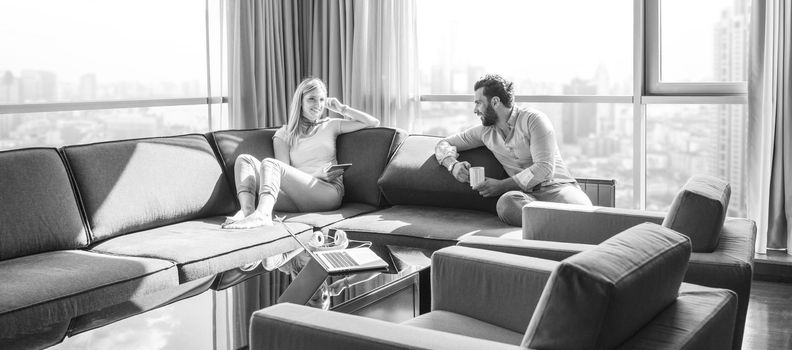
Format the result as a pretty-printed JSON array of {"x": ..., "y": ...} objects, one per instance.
[{"x": 562, "y": 39}]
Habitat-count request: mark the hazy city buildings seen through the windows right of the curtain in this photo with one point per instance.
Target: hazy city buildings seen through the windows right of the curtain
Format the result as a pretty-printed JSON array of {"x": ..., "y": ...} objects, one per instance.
[{"x": 596, "y": 139}]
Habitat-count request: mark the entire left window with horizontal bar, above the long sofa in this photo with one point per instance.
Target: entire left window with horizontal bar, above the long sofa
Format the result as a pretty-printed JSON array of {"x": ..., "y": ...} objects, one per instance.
[{"x": 80, "y": 71}]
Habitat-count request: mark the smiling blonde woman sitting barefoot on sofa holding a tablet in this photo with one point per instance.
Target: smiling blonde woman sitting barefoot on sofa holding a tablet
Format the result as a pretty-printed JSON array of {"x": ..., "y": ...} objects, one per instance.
[{"x": 298, "y": 179}]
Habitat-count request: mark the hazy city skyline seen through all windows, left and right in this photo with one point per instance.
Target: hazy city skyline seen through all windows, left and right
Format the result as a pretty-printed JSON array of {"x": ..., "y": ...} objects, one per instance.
[{"x": 595, "y": 139}]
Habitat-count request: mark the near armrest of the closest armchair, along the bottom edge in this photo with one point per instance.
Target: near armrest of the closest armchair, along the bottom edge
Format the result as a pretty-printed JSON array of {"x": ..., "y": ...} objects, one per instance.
[{"x": 291, "y": 326}]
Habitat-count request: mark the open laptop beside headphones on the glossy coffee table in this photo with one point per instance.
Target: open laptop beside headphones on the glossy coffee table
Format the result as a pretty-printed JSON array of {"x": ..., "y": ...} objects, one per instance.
[{"x": 344, "y": 260}]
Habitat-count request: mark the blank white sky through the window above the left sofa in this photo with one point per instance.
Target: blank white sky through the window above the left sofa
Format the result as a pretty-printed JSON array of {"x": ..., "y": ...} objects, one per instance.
[{"x": 137, "y": 40}]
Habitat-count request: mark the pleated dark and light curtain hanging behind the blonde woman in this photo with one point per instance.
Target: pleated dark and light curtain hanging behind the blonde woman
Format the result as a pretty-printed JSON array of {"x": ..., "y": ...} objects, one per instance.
[{"x": 364, "y": 50}]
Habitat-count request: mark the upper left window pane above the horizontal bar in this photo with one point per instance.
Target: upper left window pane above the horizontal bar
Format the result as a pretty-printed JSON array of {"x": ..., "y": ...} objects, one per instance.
[{"x": 102, "y": 50}]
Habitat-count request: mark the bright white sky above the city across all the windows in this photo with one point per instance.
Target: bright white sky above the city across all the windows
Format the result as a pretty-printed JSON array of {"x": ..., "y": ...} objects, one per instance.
[{"x": 548, "y": 40}]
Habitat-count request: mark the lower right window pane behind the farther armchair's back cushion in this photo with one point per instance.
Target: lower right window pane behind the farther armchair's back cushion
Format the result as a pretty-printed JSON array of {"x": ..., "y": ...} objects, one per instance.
[{"x": 686, "y": 139}]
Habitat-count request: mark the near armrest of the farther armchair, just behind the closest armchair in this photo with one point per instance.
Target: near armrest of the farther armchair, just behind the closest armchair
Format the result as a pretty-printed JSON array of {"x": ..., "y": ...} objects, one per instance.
[{"x": 549, "y": 250}]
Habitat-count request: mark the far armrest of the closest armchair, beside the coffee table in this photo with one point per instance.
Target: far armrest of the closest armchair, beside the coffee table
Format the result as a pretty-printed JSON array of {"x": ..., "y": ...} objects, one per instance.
[{"x": 489, "y": 286}]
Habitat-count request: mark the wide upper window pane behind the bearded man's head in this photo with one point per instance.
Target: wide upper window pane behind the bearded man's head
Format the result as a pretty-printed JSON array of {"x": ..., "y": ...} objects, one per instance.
[{"x": 542, "y": 45}]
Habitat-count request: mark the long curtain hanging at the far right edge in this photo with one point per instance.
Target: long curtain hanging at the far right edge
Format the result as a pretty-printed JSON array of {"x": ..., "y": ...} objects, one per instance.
[{"x": 769, "y": 125}]
